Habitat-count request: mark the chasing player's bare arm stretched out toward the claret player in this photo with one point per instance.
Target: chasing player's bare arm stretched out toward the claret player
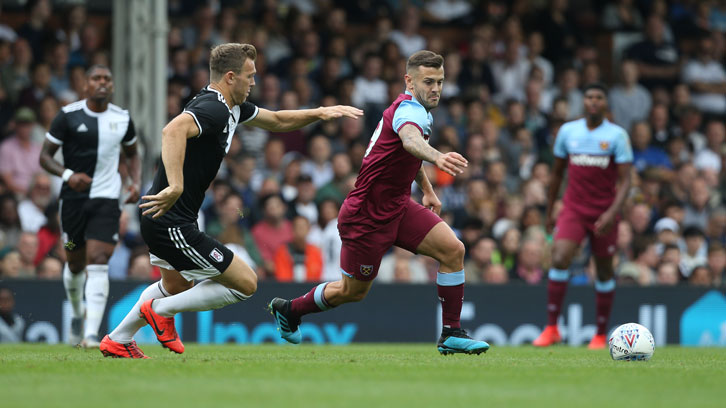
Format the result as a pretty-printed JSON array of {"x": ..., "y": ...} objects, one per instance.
[{"x": 287, "y": 120}]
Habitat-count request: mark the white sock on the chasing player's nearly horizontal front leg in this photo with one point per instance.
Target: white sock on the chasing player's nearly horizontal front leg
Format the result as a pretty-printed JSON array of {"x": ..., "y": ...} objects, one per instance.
[{"x": 206, "y": 295}]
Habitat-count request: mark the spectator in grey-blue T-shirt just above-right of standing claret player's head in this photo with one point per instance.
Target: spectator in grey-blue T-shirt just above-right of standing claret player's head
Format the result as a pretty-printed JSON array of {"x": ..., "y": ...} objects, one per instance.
[{"x": 629, "y": 101}]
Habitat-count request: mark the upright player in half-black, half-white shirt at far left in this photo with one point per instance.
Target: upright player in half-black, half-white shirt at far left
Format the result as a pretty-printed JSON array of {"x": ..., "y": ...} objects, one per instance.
[{"x": 91, "y": 134}]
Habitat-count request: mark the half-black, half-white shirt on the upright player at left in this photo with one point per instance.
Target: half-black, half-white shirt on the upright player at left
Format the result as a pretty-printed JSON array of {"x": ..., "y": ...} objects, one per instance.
[{"x": 91, "y": 143}]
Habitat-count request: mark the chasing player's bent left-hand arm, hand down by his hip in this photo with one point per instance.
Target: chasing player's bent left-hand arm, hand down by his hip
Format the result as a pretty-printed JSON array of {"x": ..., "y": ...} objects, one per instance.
[{"x": 173, "y": 146}]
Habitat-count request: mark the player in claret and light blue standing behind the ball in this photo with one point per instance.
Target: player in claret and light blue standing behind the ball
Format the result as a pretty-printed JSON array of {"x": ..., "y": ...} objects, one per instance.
[{"x": 598, "y": 156}]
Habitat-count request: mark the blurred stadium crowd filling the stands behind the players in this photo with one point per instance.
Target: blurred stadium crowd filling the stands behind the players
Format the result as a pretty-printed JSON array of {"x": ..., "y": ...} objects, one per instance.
[{"x": 514, "y": 74}]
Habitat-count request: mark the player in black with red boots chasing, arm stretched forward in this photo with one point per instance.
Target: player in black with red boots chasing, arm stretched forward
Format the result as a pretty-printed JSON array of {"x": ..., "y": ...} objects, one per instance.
[{"x": 192, "y": 148}]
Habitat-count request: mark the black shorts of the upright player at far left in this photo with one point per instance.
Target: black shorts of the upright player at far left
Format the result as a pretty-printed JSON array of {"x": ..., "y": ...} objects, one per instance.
[{"x": 89, "y": 218}]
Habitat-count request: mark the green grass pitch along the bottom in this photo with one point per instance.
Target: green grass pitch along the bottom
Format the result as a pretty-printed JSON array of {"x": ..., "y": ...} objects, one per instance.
[{"x": 359, "y": 376}]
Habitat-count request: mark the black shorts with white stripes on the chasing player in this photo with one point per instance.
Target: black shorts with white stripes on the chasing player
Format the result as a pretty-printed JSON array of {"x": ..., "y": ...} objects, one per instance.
[{"x": 184, "y": 248}]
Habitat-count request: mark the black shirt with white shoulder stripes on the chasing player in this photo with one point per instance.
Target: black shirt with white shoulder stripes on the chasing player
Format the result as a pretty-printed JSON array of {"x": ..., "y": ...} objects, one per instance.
[{"x": 204, "y": 152}]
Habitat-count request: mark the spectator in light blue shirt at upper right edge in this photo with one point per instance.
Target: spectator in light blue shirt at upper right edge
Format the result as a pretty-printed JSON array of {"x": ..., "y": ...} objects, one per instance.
[{"x": 707, "y": 78}]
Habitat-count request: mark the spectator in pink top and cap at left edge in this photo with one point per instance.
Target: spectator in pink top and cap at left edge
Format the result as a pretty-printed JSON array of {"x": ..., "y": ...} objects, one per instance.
[{"x": 19, "y": 154}]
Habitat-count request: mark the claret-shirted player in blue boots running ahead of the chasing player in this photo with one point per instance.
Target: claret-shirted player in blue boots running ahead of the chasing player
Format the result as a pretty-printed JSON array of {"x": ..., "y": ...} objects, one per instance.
[{"x": 379, "y": 213}]
